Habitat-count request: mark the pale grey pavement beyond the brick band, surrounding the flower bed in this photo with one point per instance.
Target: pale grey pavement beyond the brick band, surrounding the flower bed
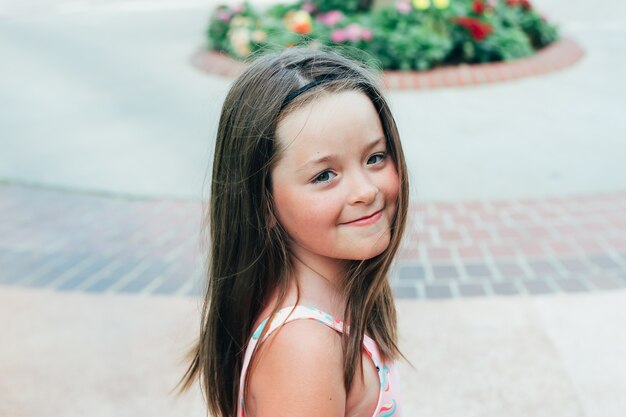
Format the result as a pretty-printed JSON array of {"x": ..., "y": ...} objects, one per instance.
[{"x": 103, "y": 98}]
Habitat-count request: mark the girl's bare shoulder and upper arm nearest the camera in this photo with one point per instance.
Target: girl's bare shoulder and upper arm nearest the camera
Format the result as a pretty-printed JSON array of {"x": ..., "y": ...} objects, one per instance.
[{"x": 298, "y": 372}]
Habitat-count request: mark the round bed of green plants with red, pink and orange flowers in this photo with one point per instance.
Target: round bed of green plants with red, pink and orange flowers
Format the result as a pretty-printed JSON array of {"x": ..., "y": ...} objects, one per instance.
[{"x": 400, "y": 35}]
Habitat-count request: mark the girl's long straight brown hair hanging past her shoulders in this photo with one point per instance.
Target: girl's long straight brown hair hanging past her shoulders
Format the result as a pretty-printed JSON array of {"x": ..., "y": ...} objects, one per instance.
[{"x": 249, "y": 257}]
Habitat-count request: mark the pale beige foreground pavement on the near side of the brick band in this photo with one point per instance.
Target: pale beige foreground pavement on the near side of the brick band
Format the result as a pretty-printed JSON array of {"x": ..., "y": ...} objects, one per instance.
[{"x": 517, "y": 357}]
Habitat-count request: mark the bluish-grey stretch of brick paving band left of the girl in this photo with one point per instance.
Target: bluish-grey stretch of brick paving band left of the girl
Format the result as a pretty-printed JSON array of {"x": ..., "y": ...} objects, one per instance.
[{"x": 80, "y": 242}]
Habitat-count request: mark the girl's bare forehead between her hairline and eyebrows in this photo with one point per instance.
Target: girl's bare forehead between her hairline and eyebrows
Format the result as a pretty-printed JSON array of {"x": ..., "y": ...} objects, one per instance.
[{"x": 345, "y": 120}]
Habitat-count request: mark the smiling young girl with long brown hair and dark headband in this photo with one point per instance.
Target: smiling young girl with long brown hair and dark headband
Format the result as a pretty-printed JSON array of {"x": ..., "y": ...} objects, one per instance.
[{"x": 308, "y": 205}]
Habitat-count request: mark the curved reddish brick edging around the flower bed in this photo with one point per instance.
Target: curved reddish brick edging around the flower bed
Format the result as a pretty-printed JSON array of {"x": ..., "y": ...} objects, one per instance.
[{"x": 556, "y": 56}]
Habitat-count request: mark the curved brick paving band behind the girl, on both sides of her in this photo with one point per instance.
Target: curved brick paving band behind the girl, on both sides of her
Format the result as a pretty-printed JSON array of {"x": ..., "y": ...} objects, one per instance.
[{"x": 69, "y": 241}]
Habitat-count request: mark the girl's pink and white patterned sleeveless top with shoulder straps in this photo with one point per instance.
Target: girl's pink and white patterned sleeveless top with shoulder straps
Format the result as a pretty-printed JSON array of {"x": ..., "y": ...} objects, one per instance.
[{"x": 389, "y": 394}]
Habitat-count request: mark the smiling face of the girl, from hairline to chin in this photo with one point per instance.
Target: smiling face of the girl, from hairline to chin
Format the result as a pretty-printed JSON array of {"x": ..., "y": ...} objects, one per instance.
[{"x": 335, "y": 187}]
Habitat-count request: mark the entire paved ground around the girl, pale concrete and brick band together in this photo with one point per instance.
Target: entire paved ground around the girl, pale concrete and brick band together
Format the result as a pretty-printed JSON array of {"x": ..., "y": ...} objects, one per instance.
[{"x": 510, "y": 285}]
